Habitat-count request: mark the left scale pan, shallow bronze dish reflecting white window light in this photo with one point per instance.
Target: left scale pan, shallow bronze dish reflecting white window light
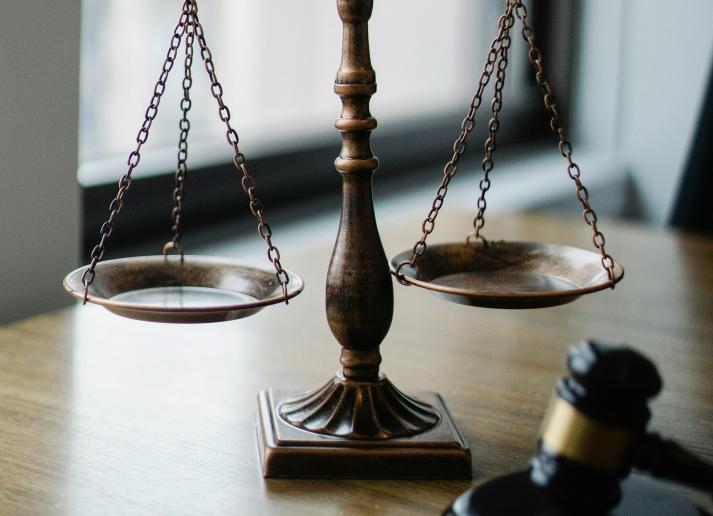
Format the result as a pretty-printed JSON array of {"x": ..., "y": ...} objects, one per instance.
[{"x": 199, "y": 290}]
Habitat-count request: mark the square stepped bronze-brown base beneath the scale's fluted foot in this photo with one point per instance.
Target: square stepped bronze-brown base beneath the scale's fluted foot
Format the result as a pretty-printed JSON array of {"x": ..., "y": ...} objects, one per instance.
[{"x": 290, "y": 452}]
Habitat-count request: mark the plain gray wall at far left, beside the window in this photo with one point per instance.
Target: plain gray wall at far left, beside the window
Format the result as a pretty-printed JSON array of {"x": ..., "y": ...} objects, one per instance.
[{"x": 39, "y": 195}]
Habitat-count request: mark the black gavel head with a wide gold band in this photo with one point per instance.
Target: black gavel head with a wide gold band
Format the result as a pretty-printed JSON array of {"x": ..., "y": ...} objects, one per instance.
[{"x": 592, "y": 428}]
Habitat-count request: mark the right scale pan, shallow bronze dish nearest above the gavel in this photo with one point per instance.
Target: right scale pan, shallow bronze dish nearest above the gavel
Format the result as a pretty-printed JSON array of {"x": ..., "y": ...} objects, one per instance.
[{"x": 507, "y": 274}]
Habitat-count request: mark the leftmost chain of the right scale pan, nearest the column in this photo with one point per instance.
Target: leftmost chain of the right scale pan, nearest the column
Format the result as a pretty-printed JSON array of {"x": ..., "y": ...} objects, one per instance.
[{"x": 459, "y": 146}]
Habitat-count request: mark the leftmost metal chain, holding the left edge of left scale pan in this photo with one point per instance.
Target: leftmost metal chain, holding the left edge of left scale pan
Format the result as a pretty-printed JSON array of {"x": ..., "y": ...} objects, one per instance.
[{"x": 135, "y": 156}]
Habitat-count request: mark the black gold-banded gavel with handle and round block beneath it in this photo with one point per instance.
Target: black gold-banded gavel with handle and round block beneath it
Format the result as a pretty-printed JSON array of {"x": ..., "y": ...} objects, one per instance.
[{"x": 593, "y": 435}]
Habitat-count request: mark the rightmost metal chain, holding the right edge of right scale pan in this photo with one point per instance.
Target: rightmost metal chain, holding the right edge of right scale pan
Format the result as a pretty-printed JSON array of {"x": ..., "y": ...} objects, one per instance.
[{"x": 565, "y": 147}]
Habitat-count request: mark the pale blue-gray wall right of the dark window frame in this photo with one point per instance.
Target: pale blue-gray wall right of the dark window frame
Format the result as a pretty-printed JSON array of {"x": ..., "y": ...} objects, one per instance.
[{"x": 641, "y": 78}]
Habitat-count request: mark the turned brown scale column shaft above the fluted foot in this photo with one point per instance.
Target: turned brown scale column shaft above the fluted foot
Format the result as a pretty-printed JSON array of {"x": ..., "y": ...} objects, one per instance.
[{"x": 360, "y": 297}]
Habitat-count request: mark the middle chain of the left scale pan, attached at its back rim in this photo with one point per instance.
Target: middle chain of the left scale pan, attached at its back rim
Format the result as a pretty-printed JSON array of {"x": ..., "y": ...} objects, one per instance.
[{"x": 182, "y": 168}]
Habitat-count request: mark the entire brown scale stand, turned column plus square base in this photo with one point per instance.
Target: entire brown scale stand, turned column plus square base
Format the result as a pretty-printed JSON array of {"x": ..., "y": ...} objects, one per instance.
[{"x": 358, "y": 424}]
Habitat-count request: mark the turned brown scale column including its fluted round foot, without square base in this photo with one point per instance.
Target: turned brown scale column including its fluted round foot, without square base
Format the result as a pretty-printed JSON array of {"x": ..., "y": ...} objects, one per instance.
[{"x": 358, "y": 403}]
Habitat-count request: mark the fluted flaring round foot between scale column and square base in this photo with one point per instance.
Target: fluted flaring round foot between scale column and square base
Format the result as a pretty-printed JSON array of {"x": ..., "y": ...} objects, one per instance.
[{"x": 359, "y": 410}]
